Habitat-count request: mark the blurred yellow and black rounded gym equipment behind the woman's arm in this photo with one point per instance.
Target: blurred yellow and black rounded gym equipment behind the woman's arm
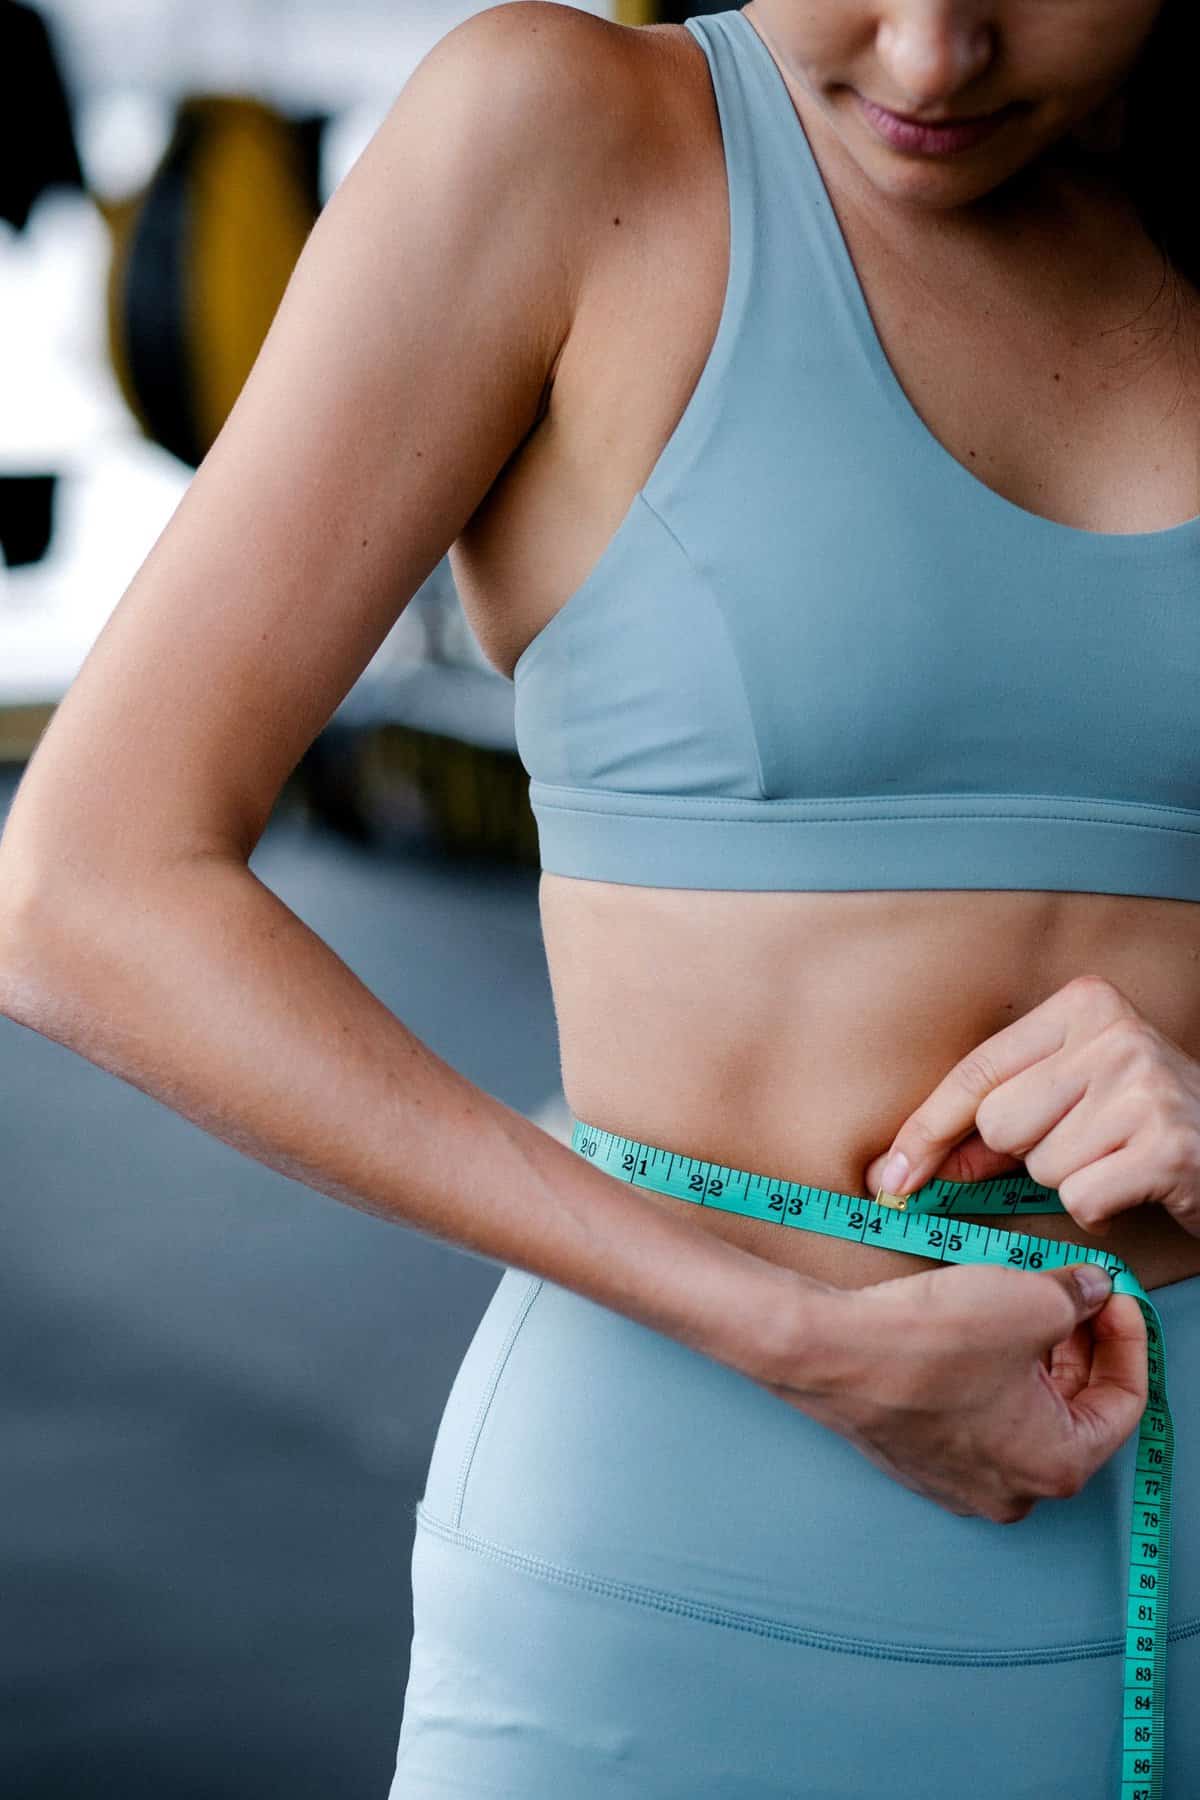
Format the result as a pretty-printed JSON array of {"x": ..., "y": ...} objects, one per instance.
[{"x": 201, "y": 264}]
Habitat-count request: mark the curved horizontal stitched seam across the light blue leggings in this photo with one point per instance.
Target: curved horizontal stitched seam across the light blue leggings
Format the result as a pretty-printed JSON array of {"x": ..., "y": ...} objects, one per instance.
[{"x": 771, "y": 1628}]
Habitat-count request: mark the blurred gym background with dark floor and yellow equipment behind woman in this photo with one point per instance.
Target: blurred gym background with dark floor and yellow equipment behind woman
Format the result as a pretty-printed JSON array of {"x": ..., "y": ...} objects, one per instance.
[{"x": 219, "y": 1389}]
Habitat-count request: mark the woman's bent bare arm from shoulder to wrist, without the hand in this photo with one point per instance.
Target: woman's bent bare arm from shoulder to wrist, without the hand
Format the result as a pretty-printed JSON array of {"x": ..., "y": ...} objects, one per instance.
[{"x": 404, "y": 368}]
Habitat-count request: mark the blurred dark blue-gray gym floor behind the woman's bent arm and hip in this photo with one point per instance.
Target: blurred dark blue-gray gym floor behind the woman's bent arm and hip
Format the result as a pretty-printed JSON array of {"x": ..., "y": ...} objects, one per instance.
[{"x": 219, "y": 1389}]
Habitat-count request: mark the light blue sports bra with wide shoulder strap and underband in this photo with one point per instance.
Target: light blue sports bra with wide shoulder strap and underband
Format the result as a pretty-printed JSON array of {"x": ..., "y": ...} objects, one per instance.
[{"x": 821, "y": 654}]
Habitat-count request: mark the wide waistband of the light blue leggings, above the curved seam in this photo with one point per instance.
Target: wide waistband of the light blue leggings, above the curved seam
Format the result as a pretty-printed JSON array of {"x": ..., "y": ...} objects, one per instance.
[{"x": 604, "y": 1452}]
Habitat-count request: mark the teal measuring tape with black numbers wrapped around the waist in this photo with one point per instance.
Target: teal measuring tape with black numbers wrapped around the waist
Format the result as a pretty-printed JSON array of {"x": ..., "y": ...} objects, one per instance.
[{"x": 924, "y": 1225}]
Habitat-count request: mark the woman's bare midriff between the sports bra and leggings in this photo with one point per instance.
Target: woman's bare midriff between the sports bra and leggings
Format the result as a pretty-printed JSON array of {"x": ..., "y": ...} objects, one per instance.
[{"x": 794, "y": 1034}]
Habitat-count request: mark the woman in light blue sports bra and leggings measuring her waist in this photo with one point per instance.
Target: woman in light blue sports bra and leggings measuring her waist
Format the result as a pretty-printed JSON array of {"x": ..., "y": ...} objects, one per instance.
[{"x": 868, "y": 796}]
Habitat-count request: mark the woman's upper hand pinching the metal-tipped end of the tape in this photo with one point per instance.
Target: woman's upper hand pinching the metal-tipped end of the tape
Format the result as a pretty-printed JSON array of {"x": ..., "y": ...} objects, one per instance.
[{"x": 1082, "y": 1092}]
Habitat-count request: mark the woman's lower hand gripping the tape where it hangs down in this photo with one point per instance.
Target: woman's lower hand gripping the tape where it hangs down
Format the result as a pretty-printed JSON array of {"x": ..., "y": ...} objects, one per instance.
[{"x": 980, "y": 1387}]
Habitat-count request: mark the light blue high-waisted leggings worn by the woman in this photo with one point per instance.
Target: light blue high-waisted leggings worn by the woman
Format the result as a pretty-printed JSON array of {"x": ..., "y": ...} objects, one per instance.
[{"x": 636, "y": 1572}]
